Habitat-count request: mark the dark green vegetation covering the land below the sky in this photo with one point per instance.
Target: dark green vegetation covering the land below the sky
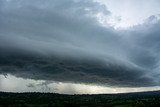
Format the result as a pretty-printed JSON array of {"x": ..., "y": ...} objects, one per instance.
[{"x": 143, "y": 99}]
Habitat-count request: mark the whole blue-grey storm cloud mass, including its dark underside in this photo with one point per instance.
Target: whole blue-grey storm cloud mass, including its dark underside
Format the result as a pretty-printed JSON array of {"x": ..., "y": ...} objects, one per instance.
[{"x": 63, "y": 41}]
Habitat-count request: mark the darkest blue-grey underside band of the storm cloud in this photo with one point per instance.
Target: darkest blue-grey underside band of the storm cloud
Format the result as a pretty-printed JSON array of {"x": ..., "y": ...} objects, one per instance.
[{"x": 74, "y": 70}]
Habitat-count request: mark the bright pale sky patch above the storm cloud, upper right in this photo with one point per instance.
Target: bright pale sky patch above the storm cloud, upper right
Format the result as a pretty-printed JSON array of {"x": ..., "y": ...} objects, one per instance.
[{"x": 128, "y": 13}]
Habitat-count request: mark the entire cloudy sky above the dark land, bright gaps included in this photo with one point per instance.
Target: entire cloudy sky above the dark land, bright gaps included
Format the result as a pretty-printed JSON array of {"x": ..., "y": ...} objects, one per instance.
[{"x": 79, "y": 47}]
